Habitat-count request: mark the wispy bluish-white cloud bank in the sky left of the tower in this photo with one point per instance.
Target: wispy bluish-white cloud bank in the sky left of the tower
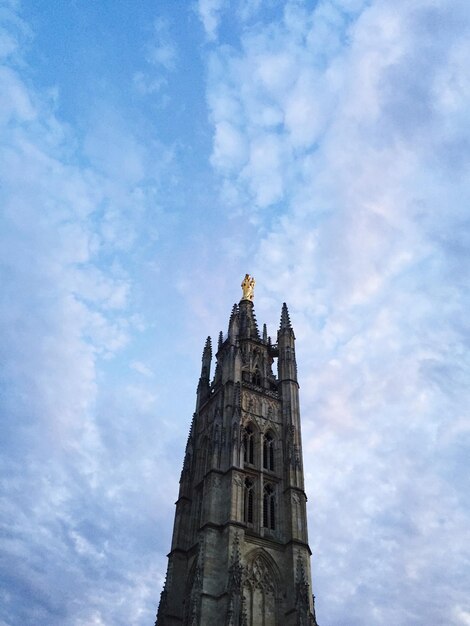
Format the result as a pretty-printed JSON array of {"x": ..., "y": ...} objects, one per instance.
[{"x": 66, "y": 314}]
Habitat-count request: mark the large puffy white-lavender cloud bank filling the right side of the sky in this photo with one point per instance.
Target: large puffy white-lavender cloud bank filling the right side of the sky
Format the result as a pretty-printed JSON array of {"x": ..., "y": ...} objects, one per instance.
[{"x": 368, "y": 247}]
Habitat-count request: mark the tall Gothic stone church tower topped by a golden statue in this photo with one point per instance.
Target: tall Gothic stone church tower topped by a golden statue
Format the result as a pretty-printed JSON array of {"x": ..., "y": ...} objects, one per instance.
[{"x": 239, "y": 554}]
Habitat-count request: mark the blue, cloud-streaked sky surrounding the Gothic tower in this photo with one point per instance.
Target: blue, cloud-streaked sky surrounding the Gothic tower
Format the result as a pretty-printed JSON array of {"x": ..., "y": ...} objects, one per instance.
[{"x": 152, "y": 153}]
